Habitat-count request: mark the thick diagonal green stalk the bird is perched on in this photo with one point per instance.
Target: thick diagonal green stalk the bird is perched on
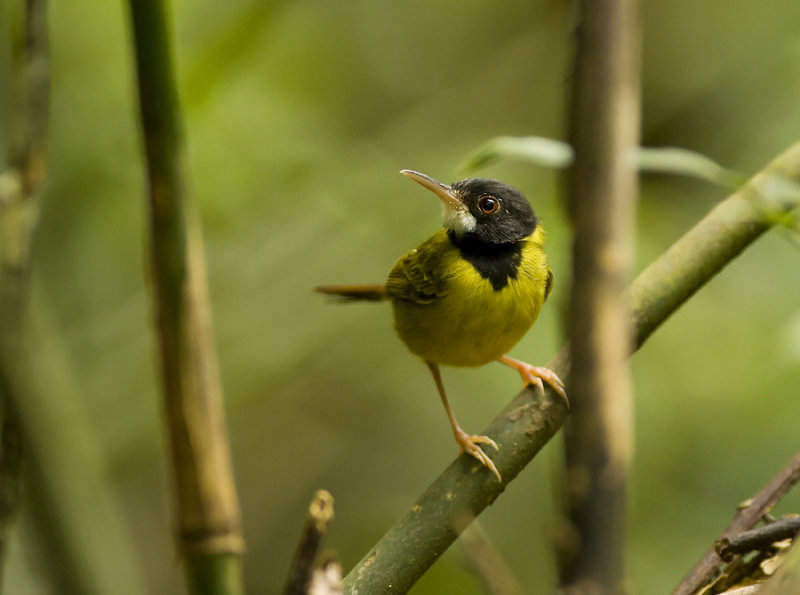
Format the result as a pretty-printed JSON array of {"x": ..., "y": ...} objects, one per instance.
[{"x": 528, "y": 422}]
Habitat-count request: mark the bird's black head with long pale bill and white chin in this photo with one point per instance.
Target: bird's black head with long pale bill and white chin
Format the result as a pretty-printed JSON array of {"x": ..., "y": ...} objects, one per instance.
[{"x": 481, "y": 209}]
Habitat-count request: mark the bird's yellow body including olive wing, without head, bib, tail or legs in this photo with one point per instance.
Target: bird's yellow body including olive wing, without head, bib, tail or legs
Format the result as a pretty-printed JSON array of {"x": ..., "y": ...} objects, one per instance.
[{"x": 448, "y": 313}]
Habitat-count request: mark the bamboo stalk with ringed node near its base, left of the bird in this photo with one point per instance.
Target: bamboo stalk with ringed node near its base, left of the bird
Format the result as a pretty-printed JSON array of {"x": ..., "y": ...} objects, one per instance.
[{"x": 209, "y": 525}]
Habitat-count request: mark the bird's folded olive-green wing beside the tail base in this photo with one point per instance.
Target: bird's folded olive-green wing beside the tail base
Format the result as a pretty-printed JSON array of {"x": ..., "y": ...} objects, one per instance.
[{"x": 419, "y": 275}]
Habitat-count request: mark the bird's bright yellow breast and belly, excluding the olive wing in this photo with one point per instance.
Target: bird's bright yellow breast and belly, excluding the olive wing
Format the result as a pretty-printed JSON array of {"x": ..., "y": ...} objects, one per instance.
[{"x": 470, "y": 323}]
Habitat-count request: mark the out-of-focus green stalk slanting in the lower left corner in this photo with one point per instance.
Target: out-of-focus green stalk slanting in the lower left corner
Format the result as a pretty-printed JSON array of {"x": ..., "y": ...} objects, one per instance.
[{"x": 81, "y": 539}]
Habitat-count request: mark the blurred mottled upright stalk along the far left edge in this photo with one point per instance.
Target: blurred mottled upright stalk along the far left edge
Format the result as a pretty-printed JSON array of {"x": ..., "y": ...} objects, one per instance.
[{"x": 20, "y": 186}]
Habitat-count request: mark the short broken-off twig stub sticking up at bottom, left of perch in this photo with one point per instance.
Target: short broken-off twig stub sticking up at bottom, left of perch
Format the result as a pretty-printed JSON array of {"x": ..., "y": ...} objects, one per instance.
[{"x": 320, "y": 514}]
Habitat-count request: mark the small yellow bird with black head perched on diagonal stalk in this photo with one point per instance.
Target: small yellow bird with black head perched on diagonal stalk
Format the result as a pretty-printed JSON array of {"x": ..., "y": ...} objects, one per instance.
[{"x": 471, "y": 291}]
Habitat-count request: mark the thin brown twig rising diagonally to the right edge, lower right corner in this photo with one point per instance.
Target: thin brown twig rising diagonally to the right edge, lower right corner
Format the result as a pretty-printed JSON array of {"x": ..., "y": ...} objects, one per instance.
[{"x": 745, "y": 518}]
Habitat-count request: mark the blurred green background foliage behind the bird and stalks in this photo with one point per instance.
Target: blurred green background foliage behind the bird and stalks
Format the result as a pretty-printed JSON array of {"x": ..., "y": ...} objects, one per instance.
[{"x": 299, "y": 116}]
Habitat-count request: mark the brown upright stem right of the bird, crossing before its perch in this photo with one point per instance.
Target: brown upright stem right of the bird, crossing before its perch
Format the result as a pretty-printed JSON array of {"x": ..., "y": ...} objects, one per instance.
[{"x": 601, "y": 195}]
